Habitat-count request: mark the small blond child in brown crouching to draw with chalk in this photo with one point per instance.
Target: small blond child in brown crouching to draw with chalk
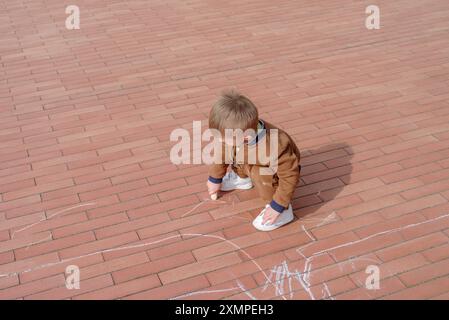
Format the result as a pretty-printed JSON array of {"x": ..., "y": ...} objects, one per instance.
[{"x": 233, "y": 110}]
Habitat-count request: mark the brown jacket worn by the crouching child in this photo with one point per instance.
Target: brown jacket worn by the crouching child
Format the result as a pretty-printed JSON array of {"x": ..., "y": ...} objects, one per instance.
[{"x": 284, "y": 179}]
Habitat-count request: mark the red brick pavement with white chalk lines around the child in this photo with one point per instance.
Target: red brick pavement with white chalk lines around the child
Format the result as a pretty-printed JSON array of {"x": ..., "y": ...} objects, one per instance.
[{"x": 85, "y": 175}]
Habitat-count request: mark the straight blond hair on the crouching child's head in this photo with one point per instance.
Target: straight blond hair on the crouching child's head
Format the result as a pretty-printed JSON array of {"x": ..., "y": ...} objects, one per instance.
[{"x": 233, "y": 110}]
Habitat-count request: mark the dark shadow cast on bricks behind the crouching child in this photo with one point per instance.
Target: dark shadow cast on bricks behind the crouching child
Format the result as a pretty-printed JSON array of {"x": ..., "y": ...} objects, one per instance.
[{"x": 325, "y": 172}]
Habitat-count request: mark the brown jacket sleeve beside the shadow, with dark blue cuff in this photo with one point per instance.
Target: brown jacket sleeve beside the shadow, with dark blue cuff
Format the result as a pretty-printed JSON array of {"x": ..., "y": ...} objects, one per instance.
[{"x": 288, "y": 174}]
